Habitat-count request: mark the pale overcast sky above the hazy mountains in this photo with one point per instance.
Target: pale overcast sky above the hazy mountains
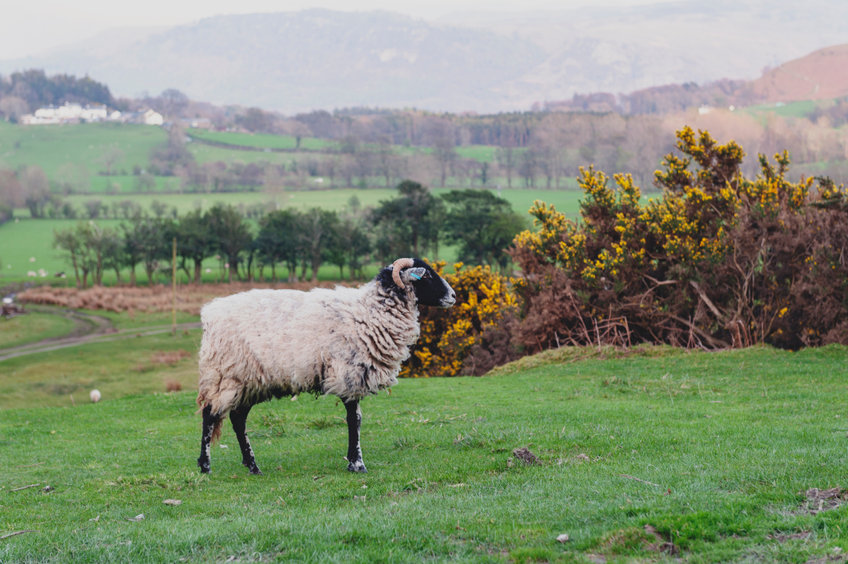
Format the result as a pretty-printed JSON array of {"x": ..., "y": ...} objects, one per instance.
[{"x": 33, "y": 26}]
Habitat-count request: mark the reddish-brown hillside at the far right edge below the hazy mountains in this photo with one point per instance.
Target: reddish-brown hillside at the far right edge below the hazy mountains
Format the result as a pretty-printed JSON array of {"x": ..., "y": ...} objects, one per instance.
[{"x": 822, "y": 75}]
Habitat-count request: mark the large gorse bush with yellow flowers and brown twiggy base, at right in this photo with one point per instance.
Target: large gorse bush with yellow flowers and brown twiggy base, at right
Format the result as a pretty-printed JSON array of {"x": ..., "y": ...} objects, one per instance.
[{"x": 720, "y": 260}]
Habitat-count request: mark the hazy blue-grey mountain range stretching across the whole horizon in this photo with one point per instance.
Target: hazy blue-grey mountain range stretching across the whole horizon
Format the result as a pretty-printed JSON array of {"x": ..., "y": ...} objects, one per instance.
[{"x": 474, "y": 61}]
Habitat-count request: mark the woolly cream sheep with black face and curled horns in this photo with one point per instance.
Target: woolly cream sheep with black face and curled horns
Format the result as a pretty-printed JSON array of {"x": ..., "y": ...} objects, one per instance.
[{"x": 348, "y": 342}]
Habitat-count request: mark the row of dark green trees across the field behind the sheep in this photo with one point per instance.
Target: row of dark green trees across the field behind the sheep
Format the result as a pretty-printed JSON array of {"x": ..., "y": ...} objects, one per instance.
[{"x": 479, "y": 224}]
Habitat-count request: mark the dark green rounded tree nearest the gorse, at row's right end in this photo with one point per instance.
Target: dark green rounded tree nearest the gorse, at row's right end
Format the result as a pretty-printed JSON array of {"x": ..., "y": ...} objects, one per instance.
[{"x": 482, "y": 224}]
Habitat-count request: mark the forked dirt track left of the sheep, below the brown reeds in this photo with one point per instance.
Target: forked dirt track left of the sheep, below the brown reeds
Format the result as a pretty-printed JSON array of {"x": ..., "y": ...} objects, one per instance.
[{"x": 88, "y": 328}]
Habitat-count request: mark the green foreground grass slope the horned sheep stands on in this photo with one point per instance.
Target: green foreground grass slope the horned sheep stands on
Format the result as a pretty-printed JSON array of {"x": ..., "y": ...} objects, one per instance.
[{"x": 657, "y": 456}]
